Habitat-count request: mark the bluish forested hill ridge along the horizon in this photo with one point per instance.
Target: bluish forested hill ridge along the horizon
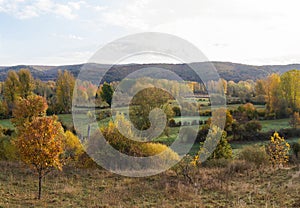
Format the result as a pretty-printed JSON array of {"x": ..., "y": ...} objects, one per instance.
[{"x": 227, "y": 70}]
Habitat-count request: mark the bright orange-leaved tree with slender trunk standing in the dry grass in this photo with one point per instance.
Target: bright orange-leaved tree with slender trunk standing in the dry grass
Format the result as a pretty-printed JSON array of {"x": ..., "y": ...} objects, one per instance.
[{"x": 40, "y": 145}]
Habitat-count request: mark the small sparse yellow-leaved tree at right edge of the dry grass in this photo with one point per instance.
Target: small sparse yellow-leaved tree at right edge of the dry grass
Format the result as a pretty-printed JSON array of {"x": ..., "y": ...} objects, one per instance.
[{"x": 278, "y": 150}]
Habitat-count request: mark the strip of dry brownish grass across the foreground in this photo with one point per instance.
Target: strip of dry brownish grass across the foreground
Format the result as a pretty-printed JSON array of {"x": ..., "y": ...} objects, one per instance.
[{"x": 215, "y": 187}]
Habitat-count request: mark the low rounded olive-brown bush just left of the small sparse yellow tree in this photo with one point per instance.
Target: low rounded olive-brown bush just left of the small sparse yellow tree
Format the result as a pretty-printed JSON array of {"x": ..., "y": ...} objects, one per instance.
[{"x": 254, "y": 154}]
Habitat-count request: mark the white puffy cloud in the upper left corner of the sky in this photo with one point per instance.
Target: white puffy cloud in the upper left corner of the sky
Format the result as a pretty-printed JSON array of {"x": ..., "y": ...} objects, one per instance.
[{"x": 24, "y": 10}]
